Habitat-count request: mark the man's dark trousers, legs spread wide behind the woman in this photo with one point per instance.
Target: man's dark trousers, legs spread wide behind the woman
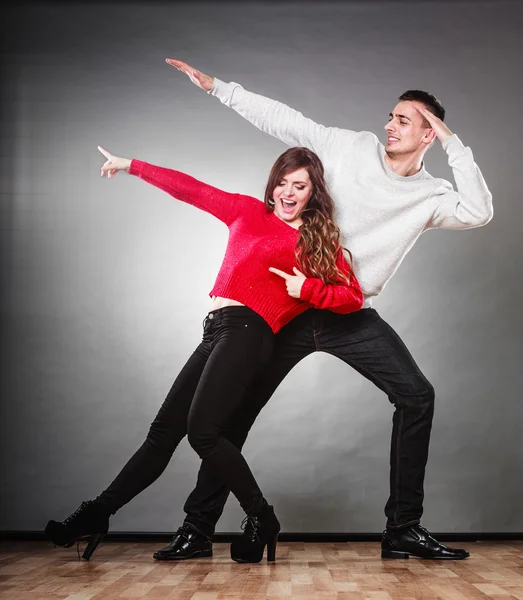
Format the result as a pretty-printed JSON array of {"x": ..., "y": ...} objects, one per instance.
[{"x": 367, "y": 343}]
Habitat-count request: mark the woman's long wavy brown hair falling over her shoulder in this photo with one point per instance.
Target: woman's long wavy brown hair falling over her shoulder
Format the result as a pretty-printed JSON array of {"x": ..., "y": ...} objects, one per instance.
[{"x": 320, "y": 239}]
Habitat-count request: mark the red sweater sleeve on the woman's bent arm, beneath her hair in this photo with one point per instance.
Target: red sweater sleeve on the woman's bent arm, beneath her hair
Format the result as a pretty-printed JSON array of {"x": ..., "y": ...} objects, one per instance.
[{"x": 339, "y": 298}]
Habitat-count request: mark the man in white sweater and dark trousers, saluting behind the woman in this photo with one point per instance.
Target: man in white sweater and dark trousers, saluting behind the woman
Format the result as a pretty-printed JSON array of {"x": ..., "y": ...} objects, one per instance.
[{"x": 384, "y": 201}]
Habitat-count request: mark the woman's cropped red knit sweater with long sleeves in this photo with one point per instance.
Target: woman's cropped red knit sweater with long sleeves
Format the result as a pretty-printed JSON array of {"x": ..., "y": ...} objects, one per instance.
[{"x": 257, "y": 240}]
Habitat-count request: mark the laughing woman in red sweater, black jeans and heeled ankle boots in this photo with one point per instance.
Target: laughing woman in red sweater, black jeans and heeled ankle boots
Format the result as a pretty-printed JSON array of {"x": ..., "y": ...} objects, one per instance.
[{"x": 250, "y": 303}]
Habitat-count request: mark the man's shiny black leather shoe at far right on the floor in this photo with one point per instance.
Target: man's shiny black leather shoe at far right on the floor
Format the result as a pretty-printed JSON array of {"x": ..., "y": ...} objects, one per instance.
[{"x": 416, "y": 541}]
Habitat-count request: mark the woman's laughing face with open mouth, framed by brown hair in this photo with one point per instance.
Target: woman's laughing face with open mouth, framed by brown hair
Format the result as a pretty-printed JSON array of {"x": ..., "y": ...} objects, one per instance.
[{"x": 291, "y": 195}]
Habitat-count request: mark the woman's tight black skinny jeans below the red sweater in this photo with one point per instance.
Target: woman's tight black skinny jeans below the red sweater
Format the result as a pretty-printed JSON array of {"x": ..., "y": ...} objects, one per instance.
[{"x": 237, "y": 344}]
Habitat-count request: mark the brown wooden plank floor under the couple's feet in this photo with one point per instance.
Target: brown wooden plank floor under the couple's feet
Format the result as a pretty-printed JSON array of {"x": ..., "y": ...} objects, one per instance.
[{"x": 337, "y": 571}]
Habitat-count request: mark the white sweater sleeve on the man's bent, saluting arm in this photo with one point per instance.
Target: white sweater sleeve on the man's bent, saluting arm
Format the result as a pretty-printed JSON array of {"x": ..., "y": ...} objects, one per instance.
[{"x": 471, "y": 204}]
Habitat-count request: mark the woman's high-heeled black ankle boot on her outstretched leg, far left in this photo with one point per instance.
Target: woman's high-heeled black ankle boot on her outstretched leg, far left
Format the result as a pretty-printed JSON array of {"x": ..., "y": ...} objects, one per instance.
[{"x": 90, "y": 521}]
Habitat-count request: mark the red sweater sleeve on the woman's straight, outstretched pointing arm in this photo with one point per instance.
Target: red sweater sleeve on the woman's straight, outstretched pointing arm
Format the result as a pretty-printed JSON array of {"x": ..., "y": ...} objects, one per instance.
[{"x": 223, "y": 205}]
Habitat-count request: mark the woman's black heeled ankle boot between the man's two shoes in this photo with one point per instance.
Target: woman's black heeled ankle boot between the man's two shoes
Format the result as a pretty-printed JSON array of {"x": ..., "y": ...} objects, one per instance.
[{"x": 258, "y": 531}]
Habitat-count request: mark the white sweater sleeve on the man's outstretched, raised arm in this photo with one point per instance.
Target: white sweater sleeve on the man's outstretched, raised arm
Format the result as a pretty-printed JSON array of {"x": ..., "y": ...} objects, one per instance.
[{"x": 279, "y": 120}]
